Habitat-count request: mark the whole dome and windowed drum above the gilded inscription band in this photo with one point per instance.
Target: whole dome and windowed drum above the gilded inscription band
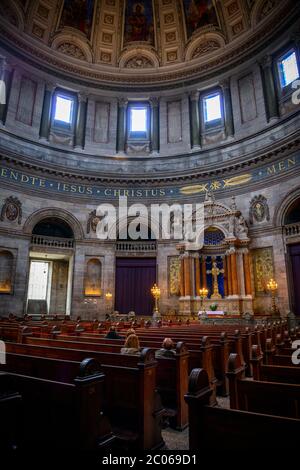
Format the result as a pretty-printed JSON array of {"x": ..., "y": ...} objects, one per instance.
[{"x": 196, "y": 92}]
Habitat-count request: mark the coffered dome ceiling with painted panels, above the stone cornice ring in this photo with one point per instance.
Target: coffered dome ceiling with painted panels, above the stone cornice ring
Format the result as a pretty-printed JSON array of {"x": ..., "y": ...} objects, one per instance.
[{"x": 131, "y": 36}]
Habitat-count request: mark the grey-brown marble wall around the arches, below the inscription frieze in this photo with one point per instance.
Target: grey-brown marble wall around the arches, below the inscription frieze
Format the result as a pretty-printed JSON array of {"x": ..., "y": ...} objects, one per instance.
[{"x": 267, "y": 234}]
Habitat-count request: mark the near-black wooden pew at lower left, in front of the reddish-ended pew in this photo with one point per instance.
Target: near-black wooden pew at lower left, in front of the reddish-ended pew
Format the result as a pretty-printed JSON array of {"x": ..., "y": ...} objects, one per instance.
[{"x": 64, "y": 414}]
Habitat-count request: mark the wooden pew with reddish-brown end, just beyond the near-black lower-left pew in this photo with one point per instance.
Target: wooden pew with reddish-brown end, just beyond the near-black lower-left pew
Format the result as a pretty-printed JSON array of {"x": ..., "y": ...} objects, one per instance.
[{"x": 130, "y": 397}]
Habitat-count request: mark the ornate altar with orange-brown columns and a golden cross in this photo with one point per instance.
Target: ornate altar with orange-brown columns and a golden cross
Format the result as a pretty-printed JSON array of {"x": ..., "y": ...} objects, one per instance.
[{"x": 217, "y": 272}]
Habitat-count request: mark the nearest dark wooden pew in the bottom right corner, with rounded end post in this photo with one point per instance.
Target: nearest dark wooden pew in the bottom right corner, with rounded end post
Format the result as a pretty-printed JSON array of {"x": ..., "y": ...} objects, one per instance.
[{"x": 232, "y": 430}]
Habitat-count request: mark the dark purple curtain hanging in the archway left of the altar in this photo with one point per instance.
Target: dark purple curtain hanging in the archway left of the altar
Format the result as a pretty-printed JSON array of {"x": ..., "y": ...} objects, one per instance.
[{"x": 134, "y": 279}]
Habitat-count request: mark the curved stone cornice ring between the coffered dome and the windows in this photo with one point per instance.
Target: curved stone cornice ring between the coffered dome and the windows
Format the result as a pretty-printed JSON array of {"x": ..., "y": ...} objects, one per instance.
[{"x": 166, "y": 77}]
